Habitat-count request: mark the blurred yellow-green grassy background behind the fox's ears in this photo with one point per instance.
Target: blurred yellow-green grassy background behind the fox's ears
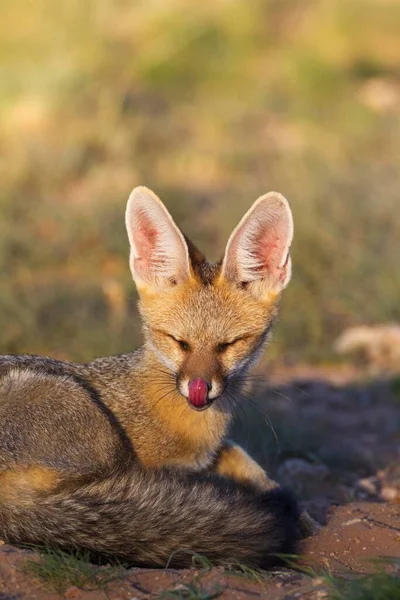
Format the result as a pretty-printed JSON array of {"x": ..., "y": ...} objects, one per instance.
[{"x": 211, "y": 104}]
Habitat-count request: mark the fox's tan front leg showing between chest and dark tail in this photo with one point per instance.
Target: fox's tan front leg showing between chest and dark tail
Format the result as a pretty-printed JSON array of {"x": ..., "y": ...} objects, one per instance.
[{"x": 235, "y": 463}]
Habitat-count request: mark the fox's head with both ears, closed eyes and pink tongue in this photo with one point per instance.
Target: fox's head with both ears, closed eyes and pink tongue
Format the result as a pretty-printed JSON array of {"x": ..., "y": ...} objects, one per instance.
[{"x": 206, "y": 323}]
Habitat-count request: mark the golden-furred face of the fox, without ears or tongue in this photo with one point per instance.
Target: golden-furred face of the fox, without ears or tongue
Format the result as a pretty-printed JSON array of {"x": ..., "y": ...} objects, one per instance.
[{"x": 223, "y": 326}]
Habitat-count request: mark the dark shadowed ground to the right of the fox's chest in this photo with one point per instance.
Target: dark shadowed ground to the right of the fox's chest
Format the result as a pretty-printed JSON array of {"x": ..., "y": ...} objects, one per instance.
[{"x": 334, "y": 443}]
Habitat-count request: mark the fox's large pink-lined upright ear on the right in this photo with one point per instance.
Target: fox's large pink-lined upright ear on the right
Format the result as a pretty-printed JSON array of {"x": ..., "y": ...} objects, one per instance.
[{"x": 257, "y": 254}]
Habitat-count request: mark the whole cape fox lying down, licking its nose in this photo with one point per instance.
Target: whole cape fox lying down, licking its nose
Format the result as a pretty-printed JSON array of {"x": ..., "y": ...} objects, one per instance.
[{"x": 126, "y": 456}]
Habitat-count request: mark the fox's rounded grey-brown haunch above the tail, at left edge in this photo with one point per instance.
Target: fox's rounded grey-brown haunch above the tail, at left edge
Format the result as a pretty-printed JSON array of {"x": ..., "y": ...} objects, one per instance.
[{"x": 52, "y": 415}]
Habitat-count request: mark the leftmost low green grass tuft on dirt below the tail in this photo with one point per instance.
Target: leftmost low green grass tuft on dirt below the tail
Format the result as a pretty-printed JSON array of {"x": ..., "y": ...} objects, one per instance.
[{"x": 58, "y": 570}]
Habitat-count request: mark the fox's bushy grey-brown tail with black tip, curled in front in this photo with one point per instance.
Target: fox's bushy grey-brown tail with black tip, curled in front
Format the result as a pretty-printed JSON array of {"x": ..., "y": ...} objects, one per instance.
[{"x": 145, "y": 517}]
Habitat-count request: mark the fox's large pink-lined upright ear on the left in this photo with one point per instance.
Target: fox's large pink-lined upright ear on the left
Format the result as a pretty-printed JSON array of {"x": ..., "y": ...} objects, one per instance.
[{"x": 159, "y": 254}]
